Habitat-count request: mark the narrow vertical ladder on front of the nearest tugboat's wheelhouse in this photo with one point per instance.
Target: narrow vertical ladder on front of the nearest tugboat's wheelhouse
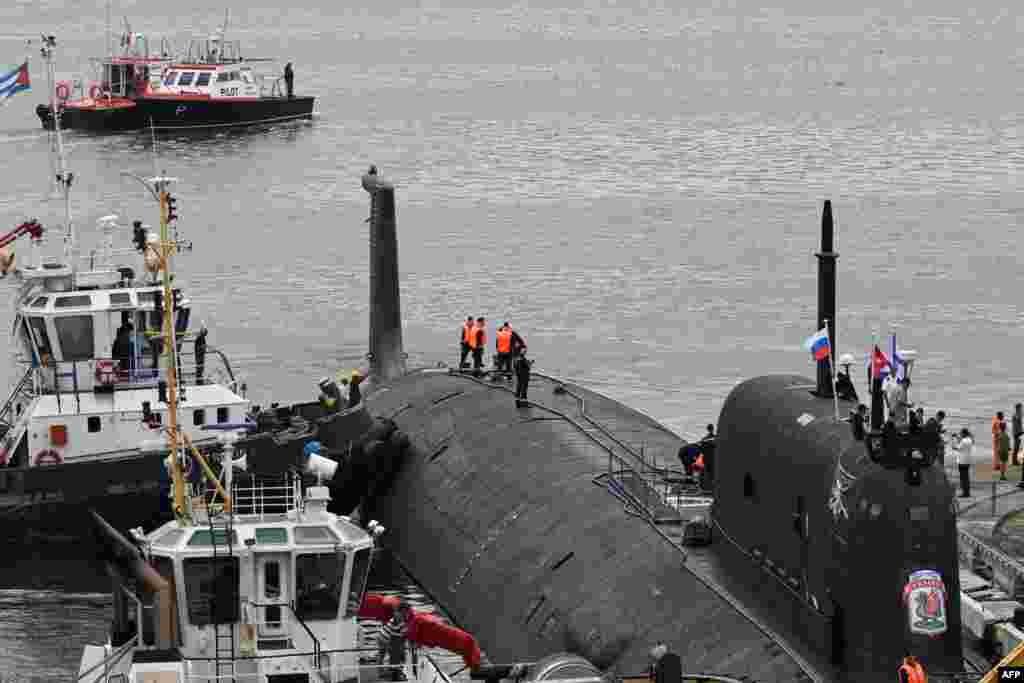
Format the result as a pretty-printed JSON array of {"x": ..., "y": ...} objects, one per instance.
[{"x": 225, "y": 606}]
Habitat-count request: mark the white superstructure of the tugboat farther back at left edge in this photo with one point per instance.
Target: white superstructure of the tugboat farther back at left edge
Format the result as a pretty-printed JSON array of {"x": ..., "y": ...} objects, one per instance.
[{"x": 90, "y": 395}]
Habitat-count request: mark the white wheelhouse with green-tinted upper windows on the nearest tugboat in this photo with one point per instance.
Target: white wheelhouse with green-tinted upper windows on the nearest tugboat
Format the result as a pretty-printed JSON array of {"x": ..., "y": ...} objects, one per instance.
[{"x": 266, "y": 597}]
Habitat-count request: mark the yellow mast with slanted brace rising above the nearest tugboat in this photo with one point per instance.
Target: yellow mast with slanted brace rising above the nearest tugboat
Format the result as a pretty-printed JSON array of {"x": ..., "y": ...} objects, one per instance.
[{"x": 179, "y": 443}]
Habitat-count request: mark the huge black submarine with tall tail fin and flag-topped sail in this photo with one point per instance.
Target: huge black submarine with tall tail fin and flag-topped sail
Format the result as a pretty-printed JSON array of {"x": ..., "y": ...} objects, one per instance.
[{"x": 834, "y": 550}]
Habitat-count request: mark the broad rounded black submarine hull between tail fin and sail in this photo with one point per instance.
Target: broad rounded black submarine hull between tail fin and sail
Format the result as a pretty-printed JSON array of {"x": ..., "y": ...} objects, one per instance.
[{"x": 630, "y": 576}]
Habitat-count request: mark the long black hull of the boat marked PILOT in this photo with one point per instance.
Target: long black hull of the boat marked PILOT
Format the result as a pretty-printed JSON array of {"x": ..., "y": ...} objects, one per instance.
[{"x": 176, "y": 113}]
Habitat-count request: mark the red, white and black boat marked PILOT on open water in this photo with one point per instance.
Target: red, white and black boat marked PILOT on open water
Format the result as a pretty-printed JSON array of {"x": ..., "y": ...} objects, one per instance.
[{"x": 212, "y": 86}]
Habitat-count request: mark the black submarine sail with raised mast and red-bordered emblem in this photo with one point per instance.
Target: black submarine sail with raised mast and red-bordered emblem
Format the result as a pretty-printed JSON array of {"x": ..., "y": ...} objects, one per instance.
[{"x": 868, "y": 559}]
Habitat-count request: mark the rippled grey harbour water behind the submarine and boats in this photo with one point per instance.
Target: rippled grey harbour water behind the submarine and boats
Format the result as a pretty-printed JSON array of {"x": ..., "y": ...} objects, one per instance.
[{"x": 637, "y": 189}]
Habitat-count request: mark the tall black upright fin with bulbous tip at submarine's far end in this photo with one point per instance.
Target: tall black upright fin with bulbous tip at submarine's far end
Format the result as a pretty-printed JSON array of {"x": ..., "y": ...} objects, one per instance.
[{"x": 388, "y": 360}]
